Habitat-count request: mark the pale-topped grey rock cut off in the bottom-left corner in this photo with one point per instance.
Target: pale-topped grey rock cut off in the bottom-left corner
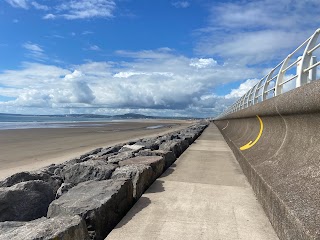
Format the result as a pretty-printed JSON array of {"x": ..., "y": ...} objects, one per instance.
[{"x": 60, "y": 227}]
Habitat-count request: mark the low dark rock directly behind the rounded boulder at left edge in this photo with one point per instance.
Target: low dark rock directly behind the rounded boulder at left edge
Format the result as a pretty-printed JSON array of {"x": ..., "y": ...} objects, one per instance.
[{"x": 54, "y": 180}]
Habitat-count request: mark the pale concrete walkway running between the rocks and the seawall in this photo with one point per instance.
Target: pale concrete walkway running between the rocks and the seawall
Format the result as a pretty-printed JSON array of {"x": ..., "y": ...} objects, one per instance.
[{"x": 204, "y": 195}]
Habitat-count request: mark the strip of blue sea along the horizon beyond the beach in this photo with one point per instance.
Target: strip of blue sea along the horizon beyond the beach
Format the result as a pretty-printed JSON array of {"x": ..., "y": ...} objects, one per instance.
[{"x": 8, "y": 121}]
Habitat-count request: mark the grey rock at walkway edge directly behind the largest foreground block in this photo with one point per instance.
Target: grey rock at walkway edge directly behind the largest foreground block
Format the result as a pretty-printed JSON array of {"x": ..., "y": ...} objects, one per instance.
[{"x": 140, "y": 174}]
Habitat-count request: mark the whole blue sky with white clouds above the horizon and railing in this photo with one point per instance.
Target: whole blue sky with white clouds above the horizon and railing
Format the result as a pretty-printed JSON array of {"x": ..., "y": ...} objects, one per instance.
[{"x": 162, "y": 58}]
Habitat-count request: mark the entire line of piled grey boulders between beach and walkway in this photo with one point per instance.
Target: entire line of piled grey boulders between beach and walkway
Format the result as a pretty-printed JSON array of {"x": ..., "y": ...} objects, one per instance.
[{"x": 84, "y": 198}]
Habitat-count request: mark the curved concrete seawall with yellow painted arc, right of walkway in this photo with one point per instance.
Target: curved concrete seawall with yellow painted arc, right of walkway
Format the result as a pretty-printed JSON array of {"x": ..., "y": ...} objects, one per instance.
[{"x": 282, "y": 162}]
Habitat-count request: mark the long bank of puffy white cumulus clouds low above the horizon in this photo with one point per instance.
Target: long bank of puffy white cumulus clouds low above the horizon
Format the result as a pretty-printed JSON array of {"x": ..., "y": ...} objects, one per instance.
[{"x": 167, "y": 85}]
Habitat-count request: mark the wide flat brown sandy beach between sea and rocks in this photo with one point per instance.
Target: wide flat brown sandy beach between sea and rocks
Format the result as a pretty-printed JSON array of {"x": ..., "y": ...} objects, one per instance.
[{"x": 31, "y": 149}]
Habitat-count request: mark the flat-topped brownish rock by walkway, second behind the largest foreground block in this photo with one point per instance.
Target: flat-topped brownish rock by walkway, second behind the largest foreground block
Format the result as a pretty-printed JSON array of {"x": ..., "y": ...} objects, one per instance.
[{"x": 155, "y": 162}]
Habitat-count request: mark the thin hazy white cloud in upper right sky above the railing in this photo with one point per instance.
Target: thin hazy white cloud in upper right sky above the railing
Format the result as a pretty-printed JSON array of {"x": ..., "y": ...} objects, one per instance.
[{"x": 257, "y": 31}]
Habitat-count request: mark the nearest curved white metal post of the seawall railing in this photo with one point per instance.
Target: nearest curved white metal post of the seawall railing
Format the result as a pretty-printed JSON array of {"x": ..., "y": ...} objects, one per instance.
[{"x": 306, "y": 58}]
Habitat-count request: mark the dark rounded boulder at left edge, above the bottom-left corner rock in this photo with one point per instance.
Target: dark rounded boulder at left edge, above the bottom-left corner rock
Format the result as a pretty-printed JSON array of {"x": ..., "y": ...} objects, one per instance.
[{"x": 25, "y": 201}]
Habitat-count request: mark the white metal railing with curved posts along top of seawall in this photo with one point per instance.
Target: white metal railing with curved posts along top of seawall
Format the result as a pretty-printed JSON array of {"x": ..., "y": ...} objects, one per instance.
[{"x": 273, "y": 83}]
